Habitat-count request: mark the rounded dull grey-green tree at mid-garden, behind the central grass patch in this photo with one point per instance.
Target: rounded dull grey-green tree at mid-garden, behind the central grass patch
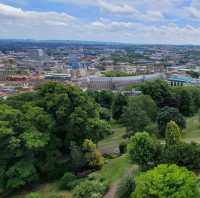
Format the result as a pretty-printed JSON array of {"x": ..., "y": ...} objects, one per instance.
[{"x": 134, "y": 118}]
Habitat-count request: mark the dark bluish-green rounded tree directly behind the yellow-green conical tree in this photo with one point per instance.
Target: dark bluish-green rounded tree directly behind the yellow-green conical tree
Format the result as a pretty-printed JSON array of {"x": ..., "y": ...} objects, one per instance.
[{"x": 166, "y": 115}]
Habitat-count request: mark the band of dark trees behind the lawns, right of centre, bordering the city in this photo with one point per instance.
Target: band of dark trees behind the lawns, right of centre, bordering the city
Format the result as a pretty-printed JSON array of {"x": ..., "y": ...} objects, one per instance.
[{"x": 151, "y": 111}]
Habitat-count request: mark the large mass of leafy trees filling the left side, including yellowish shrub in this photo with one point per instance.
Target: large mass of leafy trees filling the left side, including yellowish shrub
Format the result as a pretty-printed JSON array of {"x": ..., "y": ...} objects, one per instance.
[{"x": 46, "y": 132}]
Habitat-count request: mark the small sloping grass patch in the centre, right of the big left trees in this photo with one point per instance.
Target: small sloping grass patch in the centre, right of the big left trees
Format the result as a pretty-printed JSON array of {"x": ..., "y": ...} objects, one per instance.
[{"x": 111, "y": 143}]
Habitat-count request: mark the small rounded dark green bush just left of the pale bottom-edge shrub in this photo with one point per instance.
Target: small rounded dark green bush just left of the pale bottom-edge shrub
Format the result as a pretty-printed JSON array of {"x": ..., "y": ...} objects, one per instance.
[{"x": 67, "y": 182}]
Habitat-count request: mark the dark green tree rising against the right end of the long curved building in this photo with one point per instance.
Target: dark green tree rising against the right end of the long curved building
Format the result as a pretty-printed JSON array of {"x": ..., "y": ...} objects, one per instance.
[{"x": 160, "y": 92}]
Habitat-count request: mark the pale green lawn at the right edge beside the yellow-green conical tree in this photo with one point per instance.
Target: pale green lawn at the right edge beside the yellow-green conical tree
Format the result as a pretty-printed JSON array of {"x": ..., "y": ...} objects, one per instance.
[{"x": 192, "y": 131}]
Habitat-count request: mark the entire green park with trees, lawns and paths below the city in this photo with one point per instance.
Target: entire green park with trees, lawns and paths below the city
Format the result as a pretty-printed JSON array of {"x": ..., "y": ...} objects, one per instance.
[{"x": 62, "y": 142}]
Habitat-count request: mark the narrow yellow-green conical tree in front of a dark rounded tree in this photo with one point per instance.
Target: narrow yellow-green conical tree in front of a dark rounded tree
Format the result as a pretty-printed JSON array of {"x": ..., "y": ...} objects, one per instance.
[{"x": 173, "y": 133}]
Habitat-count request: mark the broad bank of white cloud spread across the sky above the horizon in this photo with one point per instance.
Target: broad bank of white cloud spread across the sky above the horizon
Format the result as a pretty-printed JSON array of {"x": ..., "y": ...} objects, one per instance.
[{"x": 133, "y": 26}]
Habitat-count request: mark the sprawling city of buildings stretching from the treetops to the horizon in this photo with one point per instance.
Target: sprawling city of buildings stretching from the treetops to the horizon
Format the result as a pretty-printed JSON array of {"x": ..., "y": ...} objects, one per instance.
[{"x": 94, "y": 66}]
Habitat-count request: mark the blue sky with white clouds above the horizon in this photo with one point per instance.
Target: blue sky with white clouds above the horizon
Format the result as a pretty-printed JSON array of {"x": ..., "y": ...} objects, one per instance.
[{"x": 127, "y": 21}]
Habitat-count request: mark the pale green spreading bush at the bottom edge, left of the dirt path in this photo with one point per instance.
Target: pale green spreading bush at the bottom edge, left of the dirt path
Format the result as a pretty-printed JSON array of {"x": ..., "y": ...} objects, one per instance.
[{"x": 90, "y": 189}]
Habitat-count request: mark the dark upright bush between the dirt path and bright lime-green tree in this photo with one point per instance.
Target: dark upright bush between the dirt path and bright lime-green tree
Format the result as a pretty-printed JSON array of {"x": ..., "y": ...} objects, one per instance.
[{"x": 126, "y": 186}]
